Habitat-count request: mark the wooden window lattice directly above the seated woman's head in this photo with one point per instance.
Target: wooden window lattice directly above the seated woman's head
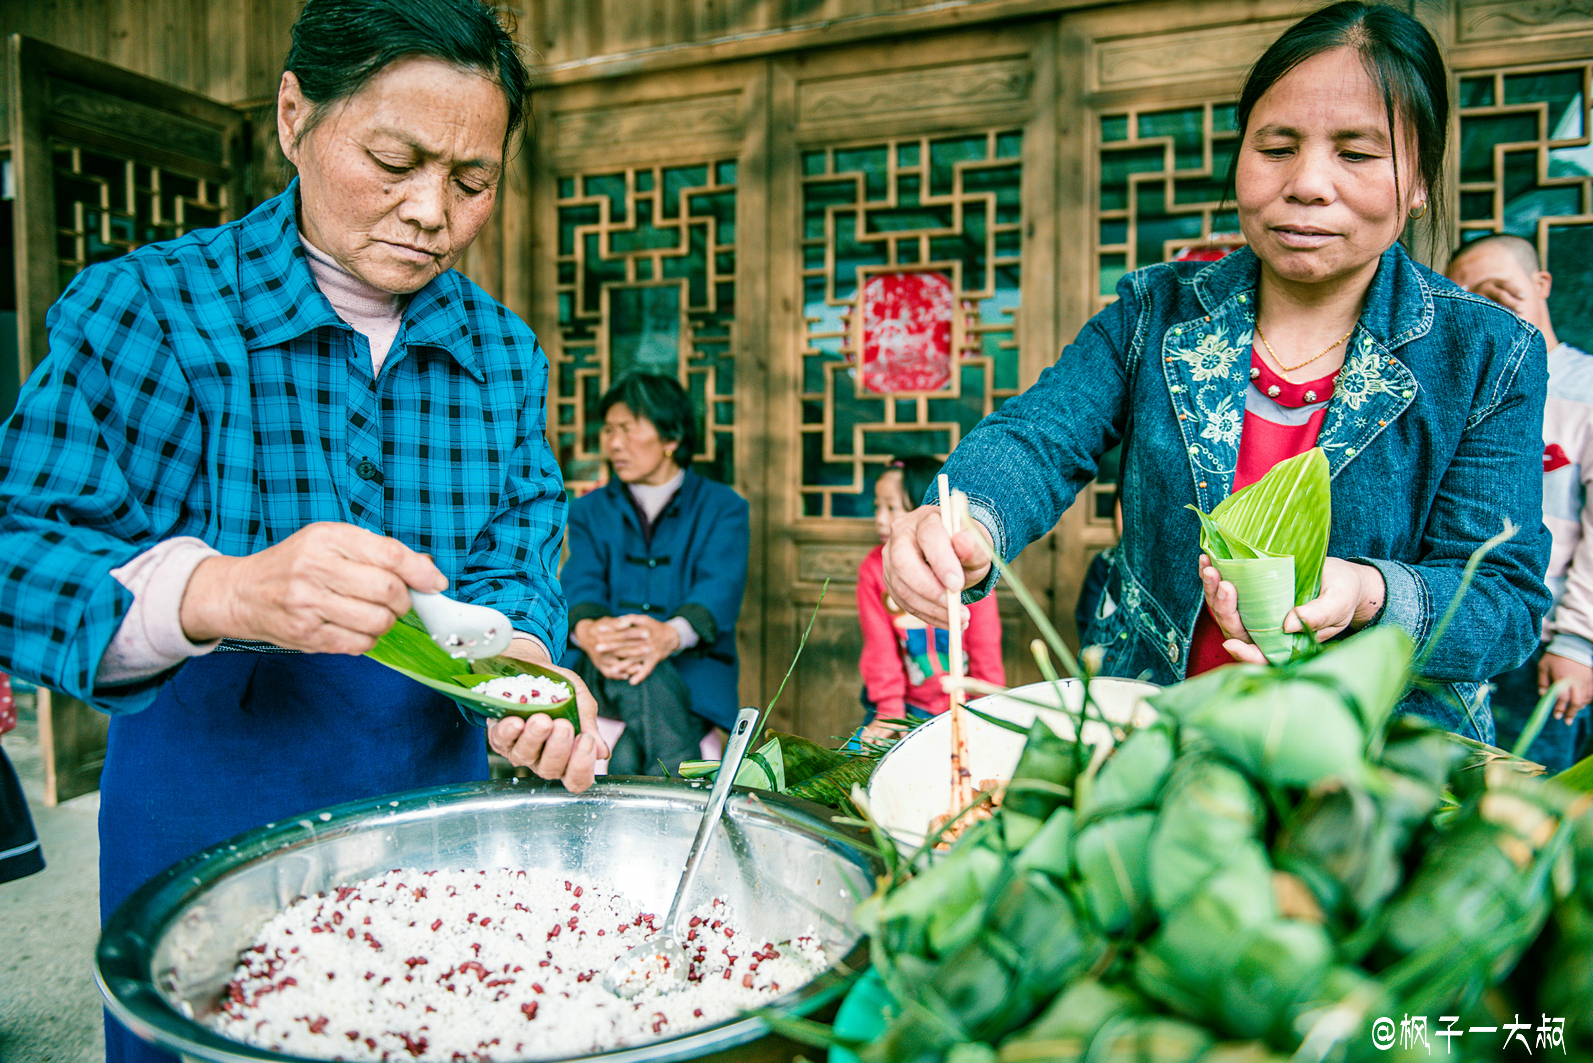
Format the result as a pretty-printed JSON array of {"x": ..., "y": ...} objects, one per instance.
[{"x": 646, "y": 280}]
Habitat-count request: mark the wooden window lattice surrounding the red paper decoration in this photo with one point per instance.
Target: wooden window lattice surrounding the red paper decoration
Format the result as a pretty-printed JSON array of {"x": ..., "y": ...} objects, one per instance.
[{"x": 928, "y": 205}]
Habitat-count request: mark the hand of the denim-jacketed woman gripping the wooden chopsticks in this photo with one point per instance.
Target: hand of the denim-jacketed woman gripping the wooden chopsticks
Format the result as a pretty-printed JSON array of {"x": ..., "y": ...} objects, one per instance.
[{"x": 922, "y": 563}]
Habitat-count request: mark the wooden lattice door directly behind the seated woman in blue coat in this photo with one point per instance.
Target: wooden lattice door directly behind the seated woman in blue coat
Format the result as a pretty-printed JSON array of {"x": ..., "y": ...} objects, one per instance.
[{"x": 644, "y": 253}]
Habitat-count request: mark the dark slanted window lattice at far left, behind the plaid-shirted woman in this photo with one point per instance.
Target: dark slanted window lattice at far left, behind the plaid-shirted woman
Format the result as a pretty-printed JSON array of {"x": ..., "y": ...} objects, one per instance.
[{"x": 109, "y": 205}]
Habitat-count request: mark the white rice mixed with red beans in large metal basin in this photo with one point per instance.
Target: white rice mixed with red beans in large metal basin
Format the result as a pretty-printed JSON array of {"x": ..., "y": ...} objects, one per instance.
[{"x": 485, "y": 967}]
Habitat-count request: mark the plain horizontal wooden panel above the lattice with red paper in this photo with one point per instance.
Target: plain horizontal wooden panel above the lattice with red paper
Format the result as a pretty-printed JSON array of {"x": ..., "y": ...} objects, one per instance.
[{"x": 915, "y": 92}]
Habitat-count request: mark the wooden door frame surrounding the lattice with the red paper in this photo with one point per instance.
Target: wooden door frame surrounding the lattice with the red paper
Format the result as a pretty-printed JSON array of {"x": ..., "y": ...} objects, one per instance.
[{"x": 808, "y": 551}]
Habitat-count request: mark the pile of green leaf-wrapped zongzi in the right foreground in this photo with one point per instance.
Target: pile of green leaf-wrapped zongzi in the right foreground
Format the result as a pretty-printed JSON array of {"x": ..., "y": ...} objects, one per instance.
[{"x": 1277, "y": 868}]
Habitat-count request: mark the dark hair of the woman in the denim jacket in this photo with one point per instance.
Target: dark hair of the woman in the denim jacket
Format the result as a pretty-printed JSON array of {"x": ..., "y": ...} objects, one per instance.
[{"x": 1403, "y": 60}]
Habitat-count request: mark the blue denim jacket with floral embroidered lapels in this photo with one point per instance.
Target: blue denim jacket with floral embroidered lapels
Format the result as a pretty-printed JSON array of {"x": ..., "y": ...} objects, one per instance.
[{"x": 1434, "y": 439}]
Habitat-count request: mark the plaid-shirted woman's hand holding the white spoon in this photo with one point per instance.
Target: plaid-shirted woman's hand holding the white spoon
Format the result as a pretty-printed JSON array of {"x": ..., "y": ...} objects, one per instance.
[{"x": 327, "y": 589}]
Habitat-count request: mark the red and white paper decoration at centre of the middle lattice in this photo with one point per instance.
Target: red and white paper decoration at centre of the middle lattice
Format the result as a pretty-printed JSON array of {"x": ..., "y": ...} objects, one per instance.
[{"x": 907, "y": 332}]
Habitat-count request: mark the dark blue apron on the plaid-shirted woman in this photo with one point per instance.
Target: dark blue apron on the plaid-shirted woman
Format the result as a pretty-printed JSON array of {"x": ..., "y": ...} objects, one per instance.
[{"x": 238, "y": 740}]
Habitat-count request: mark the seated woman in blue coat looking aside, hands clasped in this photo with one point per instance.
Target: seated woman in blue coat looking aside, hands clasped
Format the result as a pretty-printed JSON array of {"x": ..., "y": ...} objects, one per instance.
[{"x": 657, "y": 570}]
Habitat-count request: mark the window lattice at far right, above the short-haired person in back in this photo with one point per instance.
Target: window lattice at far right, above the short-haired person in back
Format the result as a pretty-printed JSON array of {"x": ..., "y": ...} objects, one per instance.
[{"x": 1527, "y": 168}]
